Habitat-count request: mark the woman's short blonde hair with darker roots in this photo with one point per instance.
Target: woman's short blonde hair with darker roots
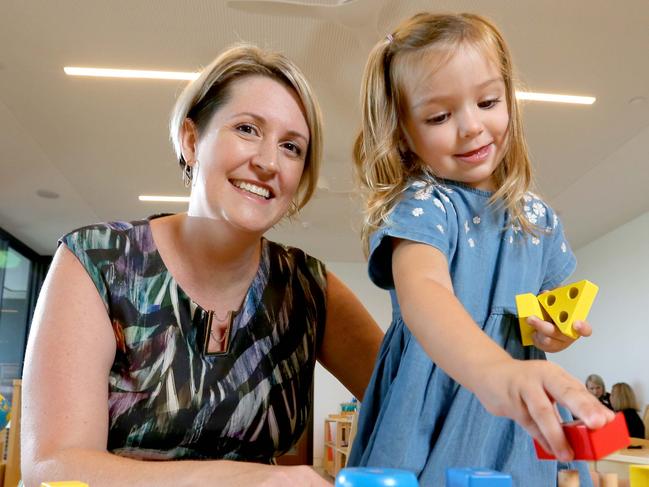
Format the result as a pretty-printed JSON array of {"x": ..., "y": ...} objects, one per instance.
[{"x": 211, "y": 90}]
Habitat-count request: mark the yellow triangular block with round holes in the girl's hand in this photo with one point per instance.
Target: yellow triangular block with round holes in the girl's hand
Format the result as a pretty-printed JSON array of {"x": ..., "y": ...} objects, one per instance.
[{"x": 570, "y": 303}]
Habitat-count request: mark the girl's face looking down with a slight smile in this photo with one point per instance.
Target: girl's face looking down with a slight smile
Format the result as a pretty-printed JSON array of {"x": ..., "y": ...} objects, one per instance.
[{"x": 457, "y": 116}]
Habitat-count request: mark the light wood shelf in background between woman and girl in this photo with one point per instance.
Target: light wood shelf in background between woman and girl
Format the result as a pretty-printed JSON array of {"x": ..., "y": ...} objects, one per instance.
[{"x": 339, "y": 432}]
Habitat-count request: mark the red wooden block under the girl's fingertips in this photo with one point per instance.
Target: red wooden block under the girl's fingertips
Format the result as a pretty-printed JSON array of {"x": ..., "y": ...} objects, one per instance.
[{"x": 592, "y": 444}]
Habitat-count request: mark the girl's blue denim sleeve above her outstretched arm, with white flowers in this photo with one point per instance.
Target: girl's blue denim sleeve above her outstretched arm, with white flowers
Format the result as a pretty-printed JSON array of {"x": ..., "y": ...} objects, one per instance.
[{"x": 424, "y": 214}]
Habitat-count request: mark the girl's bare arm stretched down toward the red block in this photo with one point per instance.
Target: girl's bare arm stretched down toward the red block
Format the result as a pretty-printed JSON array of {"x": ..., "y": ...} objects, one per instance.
[{"x": 521, "y": 390}]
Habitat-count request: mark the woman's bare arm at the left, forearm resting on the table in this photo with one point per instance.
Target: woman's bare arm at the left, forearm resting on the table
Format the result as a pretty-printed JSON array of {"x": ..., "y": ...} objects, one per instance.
[{"x": 65, "y": 401}]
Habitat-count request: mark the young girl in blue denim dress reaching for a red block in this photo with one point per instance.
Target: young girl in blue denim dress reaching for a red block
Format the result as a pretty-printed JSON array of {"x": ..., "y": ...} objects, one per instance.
[{"x": 453, "y": 233}]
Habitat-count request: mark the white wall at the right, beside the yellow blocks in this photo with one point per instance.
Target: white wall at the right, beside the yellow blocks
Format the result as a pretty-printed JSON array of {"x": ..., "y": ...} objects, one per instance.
[{"x": 618, "y": 350}]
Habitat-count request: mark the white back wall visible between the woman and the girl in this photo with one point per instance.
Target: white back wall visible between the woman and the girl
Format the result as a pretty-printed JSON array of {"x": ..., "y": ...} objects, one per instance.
[{"x": 329, "y": 393}]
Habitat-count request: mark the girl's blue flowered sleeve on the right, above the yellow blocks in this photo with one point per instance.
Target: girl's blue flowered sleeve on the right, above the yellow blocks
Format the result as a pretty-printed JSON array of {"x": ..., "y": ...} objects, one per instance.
[{"x": 561, "y": 261}]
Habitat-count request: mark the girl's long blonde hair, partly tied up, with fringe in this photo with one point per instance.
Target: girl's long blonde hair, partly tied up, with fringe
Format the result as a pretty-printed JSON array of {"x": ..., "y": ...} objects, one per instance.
[{"x": 383, "y": 163}]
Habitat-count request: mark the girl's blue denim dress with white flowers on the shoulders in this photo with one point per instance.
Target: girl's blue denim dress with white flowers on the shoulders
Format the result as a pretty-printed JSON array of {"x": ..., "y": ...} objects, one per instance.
[{"x": 413, "y": 415}]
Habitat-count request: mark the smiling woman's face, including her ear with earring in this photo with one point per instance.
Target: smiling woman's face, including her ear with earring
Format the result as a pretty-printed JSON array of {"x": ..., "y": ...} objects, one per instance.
[{"x": 250, "y": 156}]
